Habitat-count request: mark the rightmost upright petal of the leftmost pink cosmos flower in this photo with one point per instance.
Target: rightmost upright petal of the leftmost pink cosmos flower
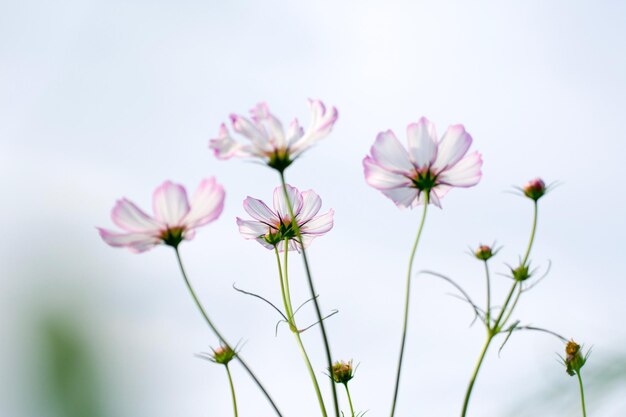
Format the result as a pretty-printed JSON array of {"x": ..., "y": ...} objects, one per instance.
[{"x": 207, "y": 203}]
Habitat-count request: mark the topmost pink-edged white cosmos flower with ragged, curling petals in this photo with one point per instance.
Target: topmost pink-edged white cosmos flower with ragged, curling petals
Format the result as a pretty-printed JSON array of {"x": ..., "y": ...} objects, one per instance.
[{"x": 268, "y": 140}]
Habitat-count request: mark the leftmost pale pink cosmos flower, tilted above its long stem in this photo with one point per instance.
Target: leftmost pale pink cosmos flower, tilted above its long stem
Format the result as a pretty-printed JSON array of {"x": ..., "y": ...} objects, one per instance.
[{"x": 175, "y": 217}]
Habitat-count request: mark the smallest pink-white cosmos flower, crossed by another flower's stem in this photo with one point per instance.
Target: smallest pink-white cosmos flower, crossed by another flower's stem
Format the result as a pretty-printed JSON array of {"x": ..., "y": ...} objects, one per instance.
[{"x": 272, "y": 227}]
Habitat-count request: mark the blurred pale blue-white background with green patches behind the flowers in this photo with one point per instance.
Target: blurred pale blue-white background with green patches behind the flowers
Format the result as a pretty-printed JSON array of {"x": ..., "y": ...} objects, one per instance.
[{"x": 104, "y": 99}]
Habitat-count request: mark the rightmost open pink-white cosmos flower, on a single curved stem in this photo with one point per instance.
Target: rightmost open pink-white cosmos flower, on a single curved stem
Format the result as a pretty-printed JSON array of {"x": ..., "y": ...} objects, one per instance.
[{"x": 429, "y": 167}]
